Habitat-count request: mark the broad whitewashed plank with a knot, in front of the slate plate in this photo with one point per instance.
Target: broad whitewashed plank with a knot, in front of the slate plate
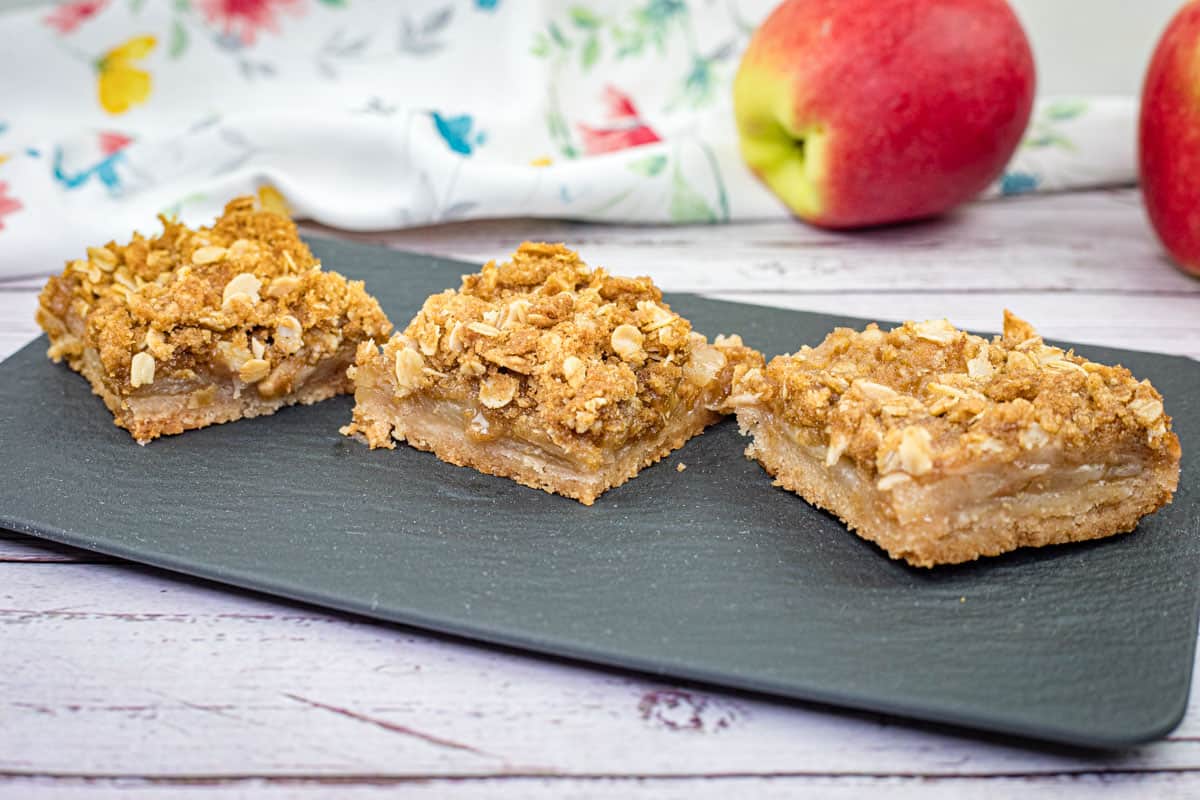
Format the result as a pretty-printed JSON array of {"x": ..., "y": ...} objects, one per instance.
[{"x": 278, "y": 689}]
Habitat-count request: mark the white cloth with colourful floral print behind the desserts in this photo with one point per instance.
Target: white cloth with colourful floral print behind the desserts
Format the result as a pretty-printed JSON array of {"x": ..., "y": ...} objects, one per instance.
[{"x": 365, "y": 115}]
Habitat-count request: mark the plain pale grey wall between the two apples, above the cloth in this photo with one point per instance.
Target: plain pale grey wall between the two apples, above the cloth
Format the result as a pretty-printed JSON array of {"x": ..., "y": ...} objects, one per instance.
[{"x": 1082, "y": 46}]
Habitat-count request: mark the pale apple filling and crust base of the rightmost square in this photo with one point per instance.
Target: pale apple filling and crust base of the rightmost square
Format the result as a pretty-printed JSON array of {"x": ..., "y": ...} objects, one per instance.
[{"x": 987, "y": 509}]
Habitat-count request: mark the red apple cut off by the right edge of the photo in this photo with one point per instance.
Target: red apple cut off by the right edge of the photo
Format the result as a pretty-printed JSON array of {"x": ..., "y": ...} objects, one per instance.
[{"x": 1169, "y": 139}]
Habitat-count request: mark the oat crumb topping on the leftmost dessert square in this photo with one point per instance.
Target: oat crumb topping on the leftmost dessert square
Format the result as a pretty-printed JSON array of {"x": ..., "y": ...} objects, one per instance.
[{"x": 237, "y": 298}]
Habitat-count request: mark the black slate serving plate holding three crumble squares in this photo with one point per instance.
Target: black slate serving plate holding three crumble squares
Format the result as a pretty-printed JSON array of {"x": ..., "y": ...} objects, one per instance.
[{"x": 711, "y": 575}]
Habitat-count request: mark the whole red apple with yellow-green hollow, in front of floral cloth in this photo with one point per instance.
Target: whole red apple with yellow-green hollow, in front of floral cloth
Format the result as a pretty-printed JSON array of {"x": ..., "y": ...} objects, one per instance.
[{"x": 866, "y": 112}]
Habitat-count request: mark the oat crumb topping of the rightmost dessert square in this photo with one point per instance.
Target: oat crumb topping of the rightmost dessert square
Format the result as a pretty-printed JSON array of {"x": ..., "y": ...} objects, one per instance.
[{"x": 926, "y": 398}]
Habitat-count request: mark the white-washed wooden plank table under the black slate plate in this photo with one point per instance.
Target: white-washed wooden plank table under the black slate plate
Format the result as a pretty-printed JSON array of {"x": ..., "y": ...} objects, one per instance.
[{"x": 118, "y": 681}]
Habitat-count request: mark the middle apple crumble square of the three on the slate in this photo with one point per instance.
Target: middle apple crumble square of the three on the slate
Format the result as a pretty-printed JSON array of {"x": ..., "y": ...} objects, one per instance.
[{"x": 548, "y": 372}]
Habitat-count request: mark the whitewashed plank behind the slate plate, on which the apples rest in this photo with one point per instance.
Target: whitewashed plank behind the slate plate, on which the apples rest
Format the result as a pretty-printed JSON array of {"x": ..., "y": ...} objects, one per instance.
[{"x": 1094, "y": 242}]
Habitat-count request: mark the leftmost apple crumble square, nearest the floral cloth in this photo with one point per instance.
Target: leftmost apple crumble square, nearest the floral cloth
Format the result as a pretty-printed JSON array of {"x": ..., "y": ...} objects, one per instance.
[{"x": 194, "y": 328}]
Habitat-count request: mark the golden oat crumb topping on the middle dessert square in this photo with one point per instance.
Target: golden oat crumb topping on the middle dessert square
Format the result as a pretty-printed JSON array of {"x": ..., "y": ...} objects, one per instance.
[{"x": 551, "y": 347}]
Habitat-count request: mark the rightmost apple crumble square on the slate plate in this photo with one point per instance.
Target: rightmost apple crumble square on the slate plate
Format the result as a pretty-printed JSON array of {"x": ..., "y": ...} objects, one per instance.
[{"x": 941, "y": 447}]
